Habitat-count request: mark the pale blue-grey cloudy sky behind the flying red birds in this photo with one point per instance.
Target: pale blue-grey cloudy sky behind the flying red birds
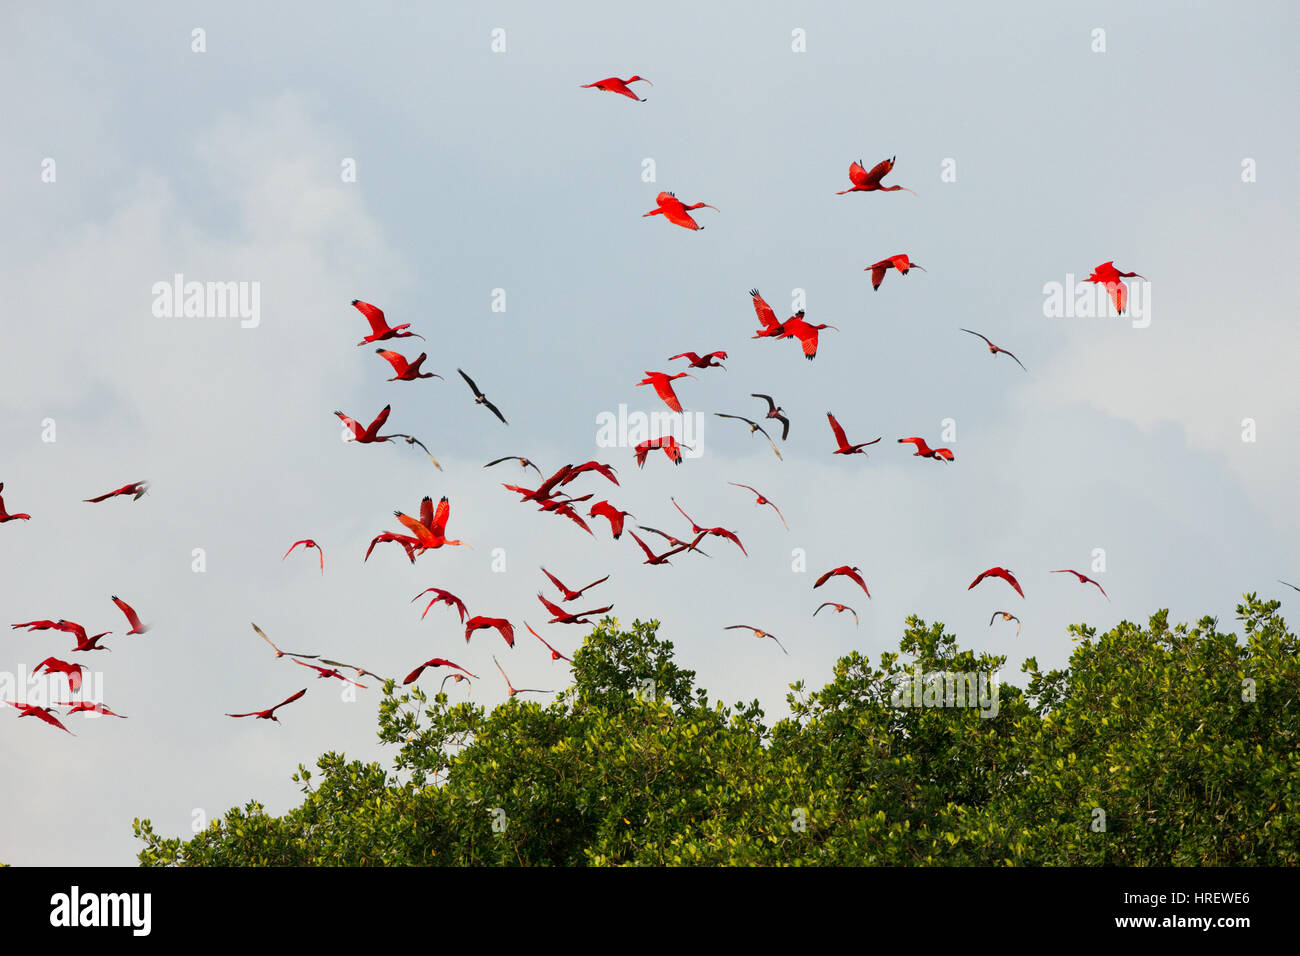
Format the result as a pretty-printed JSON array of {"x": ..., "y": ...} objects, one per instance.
[{"x": 482, "y": 171}]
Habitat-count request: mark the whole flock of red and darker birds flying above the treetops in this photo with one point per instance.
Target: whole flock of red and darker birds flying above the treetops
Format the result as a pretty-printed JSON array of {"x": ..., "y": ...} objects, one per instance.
[{"x": 428, "y": 530}]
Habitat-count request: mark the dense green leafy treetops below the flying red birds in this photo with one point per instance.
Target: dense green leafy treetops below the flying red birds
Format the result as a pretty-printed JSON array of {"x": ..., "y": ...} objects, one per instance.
[{"x": 1149, "y": 750}]
